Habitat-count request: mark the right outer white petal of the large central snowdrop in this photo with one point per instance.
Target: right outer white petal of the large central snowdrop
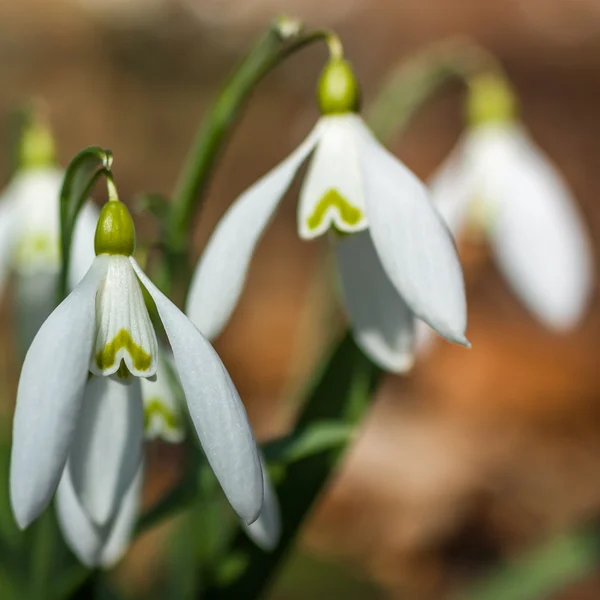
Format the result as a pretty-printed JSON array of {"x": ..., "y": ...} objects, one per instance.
[{"x": 415, "y": 247}]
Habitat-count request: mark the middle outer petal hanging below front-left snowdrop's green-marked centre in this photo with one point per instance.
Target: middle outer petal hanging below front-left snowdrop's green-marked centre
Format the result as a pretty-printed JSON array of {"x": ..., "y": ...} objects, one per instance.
[{"x": 107, "y": 447}]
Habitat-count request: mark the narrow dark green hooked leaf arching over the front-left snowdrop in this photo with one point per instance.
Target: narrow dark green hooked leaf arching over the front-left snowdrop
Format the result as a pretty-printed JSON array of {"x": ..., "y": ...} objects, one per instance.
[{"x": 80, "y": 177}]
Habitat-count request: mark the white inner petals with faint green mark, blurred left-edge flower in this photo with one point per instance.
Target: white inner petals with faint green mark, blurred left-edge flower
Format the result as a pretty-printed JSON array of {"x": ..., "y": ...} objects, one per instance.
[{"x": 36, "y": 192}]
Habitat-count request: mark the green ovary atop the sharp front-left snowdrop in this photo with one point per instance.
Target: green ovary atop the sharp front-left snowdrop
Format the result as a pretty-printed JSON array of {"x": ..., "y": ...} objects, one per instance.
[{"x": 115, "y": 232}]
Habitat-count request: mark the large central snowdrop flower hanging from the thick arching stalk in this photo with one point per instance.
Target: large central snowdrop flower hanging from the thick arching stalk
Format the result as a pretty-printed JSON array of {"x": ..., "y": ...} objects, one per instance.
[{"x": 394, "y": 255}]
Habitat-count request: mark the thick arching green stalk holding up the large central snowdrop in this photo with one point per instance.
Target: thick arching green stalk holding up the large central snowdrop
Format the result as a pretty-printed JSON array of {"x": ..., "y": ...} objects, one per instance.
[{"x": 283, "y": 38}]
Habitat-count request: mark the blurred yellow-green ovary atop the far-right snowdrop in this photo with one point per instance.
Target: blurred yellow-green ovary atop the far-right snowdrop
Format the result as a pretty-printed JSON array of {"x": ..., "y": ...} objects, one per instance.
[{"x": 491, "y": 100}]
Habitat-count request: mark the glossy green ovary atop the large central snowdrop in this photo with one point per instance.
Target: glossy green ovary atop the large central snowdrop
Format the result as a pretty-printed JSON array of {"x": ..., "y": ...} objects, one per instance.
[{"x": 338, "y": 91}]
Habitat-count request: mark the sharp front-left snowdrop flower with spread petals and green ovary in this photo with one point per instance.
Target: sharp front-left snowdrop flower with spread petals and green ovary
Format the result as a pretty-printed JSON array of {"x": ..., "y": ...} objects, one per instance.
[{"x": 61, "y": 418}]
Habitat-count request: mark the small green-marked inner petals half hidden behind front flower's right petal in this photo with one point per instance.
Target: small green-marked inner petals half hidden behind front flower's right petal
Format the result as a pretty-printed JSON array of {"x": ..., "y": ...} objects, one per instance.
[{"x": 162, "y": 413}]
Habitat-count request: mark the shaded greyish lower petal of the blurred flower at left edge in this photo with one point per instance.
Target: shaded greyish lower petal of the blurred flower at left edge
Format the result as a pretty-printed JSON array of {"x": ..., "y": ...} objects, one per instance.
[{"x": 34, "y": 300}]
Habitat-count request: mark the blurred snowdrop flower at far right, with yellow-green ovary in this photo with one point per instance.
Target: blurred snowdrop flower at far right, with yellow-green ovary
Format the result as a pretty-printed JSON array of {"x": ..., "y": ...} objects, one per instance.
[{"x": 499, "y": 183}]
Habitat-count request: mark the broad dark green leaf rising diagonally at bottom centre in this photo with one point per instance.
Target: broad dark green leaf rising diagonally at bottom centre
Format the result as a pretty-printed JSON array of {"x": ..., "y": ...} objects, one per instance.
[{"x": 347, "y": 380}]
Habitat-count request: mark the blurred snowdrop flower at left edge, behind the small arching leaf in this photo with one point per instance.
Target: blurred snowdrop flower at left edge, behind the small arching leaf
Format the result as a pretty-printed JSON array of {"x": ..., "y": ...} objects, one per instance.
[{"x": 29, "y": 232}]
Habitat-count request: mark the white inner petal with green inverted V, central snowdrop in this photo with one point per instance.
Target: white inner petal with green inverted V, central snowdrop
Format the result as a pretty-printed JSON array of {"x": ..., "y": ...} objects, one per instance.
[{"x": 332, "y": 193}]
